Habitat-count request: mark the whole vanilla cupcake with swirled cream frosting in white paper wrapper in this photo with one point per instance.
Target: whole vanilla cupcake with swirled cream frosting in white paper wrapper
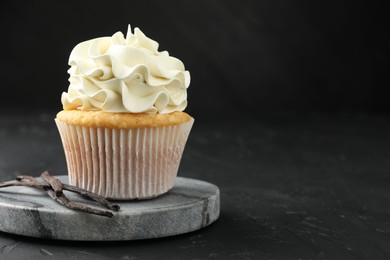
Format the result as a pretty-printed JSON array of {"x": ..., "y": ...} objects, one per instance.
[{"x": 122, "y": 126}]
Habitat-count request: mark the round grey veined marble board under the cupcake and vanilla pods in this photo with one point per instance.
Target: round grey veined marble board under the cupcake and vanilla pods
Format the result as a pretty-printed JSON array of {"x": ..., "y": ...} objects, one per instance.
[{"x": 190, "y": 205}]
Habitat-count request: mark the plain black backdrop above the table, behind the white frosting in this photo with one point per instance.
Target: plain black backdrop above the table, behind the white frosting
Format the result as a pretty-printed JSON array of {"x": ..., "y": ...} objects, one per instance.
[{"x": 245, "y": 57}]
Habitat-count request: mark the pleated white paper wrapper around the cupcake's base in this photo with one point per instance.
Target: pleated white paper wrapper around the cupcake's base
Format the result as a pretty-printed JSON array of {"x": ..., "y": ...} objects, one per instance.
[{"x": 124, "y": 164}]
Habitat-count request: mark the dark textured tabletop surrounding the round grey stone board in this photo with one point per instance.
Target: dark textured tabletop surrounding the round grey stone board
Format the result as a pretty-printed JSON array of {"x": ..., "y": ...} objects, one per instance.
[{"x": 293, "y": 186}]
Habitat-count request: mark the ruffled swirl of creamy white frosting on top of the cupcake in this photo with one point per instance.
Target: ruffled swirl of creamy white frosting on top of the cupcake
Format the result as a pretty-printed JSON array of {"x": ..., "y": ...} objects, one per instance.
[{"x": 118, "y": 74}]
